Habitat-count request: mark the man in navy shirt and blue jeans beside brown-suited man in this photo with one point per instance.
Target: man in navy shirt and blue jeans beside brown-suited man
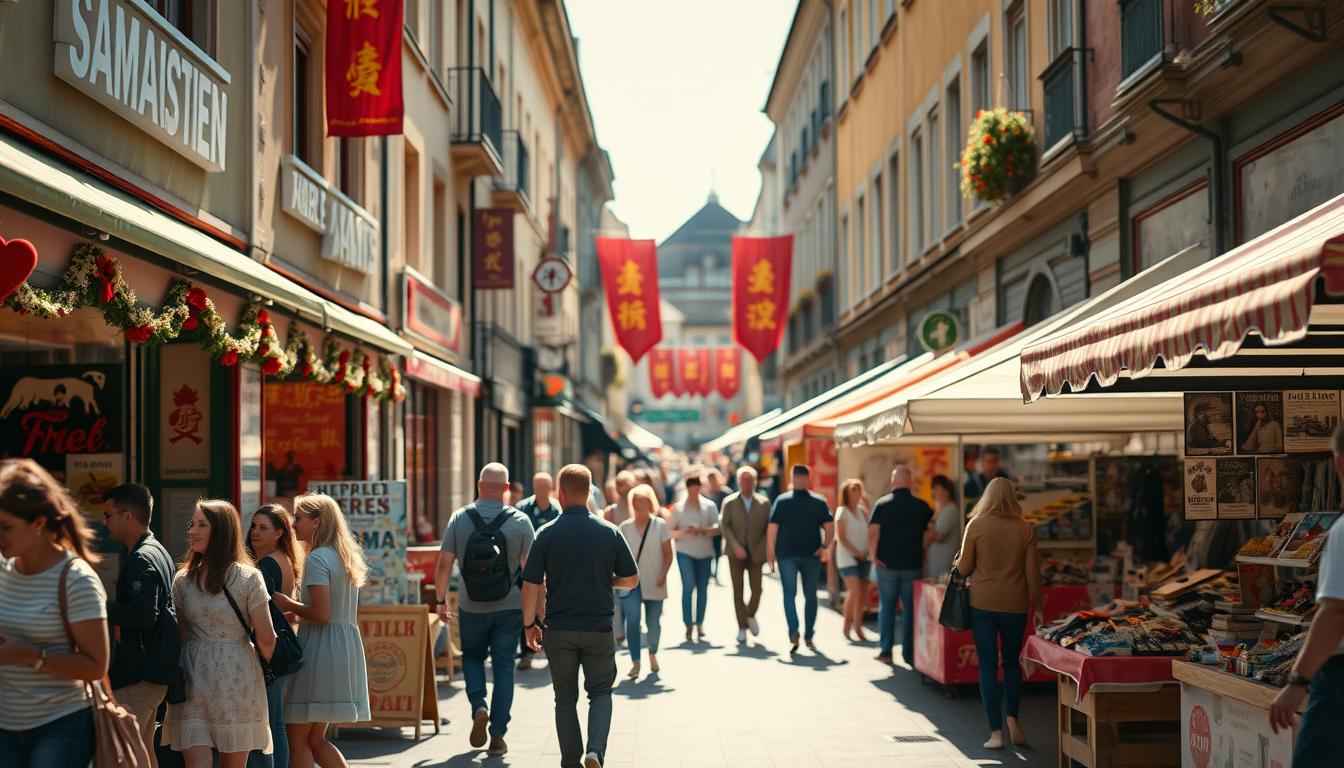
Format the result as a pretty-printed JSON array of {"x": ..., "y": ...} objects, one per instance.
[{"x": 800, "y": 532}]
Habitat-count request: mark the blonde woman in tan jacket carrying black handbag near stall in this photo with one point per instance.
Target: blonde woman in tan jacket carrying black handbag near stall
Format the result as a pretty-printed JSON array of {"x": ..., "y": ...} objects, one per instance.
[{"x": 999, "y": 559}]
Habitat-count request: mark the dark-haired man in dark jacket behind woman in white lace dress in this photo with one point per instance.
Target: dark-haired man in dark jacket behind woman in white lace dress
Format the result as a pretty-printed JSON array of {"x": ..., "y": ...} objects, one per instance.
[{"x": 146, "y": 641}]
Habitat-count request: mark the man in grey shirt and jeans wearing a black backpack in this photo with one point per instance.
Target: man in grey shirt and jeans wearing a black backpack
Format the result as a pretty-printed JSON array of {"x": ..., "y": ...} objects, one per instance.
[{"x": 490, "y": 543}]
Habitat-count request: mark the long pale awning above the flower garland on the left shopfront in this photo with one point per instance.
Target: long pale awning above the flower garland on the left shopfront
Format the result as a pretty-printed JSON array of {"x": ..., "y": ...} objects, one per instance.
[{"x": 56, "y": 188}]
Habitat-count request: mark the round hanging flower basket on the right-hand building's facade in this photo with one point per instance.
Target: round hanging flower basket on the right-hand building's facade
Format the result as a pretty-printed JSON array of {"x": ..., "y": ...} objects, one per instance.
[{"x": 999, "y": 158}]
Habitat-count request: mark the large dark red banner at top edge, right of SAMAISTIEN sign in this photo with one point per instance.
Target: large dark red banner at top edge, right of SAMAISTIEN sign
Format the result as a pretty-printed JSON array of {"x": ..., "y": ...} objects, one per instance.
[{"x": 365, "y": 68}]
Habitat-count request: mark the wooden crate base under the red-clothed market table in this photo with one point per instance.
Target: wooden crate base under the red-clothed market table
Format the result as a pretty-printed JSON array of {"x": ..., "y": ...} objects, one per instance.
[{"x": 1119, "y": 730}]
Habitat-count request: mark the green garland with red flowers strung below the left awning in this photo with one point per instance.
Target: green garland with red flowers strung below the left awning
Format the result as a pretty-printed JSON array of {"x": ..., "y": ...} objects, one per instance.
[{"x": 93, "y": 279}]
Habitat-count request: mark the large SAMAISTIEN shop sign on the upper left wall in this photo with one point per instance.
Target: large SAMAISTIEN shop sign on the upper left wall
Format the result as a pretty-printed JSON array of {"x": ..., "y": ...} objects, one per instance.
[{"x": 128, "y": 59}]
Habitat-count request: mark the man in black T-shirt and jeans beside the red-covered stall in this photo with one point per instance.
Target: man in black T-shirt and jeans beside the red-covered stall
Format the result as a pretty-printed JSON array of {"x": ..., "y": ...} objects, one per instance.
[{"x": 896, "y": 547}]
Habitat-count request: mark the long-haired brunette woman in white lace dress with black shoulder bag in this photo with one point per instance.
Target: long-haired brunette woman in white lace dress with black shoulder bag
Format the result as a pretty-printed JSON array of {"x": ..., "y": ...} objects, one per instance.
[{"x": 217, "y": 592}]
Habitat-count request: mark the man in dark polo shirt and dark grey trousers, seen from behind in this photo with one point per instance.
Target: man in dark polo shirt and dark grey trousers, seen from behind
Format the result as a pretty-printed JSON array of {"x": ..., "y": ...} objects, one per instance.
[{"x": 581, "y": 559}]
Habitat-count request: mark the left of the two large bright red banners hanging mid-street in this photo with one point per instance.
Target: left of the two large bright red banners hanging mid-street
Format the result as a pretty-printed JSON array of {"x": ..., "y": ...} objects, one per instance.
[{"x": 631, "y": 276}]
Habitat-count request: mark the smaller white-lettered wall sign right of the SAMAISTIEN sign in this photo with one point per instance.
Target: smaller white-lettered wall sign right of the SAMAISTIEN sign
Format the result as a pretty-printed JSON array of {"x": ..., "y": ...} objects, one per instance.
[{"x": 351, "y": 233}]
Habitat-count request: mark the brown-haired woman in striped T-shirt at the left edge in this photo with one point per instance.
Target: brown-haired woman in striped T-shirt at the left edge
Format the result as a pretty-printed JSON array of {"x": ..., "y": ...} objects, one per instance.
[{"x": 45, "y": 718}]
